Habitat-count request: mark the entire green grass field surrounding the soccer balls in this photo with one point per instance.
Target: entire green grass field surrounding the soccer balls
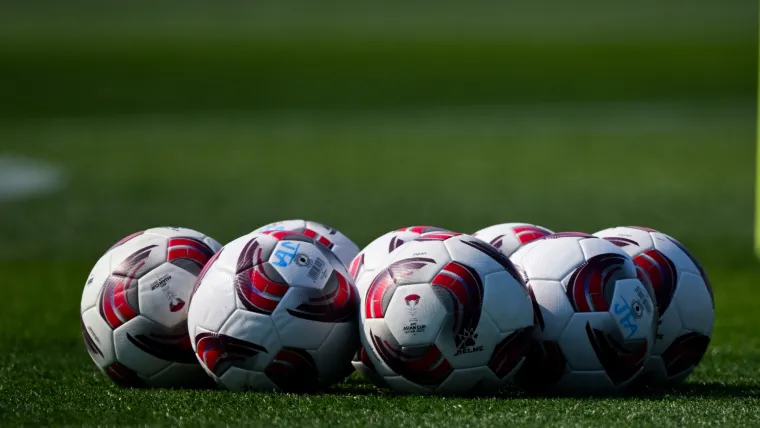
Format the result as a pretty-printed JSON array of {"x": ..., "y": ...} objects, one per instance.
[{"x": 369, "y": 118}]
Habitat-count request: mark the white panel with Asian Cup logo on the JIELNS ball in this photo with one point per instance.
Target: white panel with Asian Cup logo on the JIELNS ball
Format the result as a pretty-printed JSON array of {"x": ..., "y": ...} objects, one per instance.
[{"x": 415, "y": 315}]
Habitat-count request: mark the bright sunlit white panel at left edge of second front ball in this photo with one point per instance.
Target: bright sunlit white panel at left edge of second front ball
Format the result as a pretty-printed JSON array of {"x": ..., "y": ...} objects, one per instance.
[{"x": 214, "y": 300}]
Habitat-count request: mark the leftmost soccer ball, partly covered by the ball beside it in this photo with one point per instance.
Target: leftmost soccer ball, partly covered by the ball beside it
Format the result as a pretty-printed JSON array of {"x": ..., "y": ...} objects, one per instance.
[{"x": 134, "y": 307}]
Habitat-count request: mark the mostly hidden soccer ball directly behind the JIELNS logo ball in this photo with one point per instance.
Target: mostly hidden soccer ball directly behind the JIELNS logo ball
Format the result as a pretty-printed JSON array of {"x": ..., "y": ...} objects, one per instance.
[{"x": 365, "y": 263}]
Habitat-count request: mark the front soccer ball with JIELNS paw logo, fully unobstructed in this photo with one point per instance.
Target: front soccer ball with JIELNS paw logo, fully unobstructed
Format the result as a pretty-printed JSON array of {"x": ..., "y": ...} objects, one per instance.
[{"x": 446, "y": 314}]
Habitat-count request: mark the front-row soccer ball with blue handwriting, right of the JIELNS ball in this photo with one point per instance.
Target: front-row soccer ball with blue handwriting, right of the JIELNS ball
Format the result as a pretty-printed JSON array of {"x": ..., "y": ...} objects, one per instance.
[{"x": 596, "y": 320}]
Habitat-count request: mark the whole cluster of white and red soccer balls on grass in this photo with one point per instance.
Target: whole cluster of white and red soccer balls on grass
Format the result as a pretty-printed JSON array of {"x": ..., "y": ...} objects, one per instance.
[{"x": 294, "y": 304}]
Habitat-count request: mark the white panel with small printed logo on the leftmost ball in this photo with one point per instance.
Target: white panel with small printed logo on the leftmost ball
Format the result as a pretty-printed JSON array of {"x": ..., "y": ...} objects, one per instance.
[{"x": 164, "y": 293}]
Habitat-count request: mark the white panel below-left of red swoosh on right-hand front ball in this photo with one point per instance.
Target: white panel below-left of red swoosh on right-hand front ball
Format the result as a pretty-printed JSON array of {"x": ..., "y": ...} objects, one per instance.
[{"x": 556, "y": 310}]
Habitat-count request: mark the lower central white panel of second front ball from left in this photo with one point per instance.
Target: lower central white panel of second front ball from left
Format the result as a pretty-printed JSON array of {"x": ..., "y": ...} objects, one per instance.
[{"x": 257, "y": 329}]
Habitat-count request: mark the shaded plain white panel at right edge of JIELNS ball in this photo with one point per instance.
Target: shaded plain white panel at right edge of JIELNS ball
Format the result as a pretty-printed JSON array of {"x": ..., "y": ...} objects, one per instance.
[{"x": 507, "y": 302}]
